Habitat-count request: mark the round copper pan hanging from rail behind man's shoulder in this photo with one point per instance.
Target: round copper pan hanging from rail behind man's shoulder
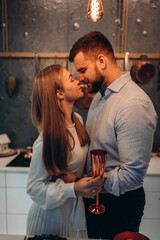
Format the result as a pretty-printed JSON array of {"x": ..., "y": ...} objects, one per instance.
[{"x": 143, "y": 70}]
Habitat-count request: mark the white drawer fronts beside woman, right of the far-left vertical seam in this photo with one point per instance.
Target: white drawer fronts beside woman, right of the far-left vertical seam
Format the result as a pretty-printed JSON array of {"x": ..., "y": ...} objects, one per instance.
[{"x": 18, "y": 202}]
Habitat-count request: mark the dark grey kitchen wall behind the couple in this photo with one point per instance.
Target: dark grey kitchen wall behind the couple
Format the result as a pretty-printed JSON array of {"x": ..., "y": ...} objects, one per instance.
[{"x": 50, "y": 26}]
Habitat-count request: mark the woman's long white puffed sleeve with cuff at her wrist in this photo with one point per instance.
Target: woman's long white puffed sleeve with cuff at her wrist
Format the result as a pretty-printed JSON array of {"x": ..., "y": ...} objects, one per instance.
[{"x": 44, "y": 192}]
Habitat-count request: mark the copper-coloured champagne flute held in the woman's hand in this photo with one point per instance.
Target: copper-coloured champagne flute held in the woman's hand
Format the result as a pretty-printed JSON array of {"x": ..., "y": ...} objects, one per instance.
[{"x": 98, "y": 161}]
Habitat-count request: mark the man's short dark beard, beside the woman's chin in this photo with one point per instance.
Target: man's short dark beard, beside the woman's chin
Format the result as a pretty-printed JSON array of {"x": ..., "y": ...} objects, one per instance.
[{"x": 96, "y": 86}]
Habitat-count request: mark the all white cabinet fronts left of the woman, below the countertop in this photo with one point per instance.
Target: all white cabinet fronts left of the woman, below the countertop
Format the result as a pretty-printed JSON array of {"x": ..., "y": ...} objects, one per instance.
[{"x": 14, "y": 201}]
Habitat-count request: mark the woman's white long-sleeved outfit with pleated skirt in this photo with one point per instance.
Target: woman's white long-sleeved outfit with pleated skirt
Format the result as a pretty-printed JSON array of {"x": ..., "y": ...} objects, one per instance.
[{"x": 56, "y": 209}]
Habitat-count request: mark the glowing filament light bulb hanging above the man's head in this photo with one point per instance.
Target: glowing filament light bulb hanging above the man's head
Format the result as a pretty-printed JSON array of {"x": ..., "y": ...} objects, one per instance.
[{"x": 95, "y": 10}]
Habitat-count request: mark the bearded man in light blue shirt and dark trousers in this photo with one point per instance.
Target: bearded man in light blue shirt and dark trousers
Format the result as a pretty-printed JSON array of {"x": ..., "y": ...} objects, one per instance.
[{"x": 122, "y": 121}]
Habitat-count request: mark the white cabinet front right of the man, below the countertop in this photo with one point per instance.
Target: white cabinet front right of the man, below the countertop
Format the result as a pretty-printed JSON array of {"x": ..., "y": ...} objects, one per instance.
[{"x": 150, "y": 225}]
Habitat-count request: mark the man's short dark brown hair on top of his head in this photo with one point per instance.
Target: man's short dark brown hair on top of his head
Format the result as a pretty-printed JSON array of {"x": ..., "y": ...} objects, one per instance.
[{"x": 93, "y": 42}]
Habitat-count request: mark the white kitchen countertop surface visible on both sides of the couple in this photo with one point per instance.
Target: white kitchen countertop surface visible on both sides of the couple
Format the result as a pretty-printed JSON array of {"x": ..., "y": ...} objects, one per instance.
[{"x": 153, "y": 169}]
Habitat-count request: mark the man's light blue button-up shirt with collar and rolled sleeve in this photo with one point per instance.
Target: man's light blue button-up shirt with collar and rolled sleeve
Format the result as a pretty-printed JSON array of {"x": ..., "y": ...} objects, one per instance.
[{"x": 123, "y": 123}]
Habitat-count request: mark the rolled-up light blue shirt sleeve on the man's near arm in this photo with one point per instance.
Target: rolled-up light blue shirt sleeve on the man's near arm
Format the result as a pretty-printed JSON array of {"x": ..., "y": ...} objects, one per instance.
[{"x": 134, "y": 128}]
